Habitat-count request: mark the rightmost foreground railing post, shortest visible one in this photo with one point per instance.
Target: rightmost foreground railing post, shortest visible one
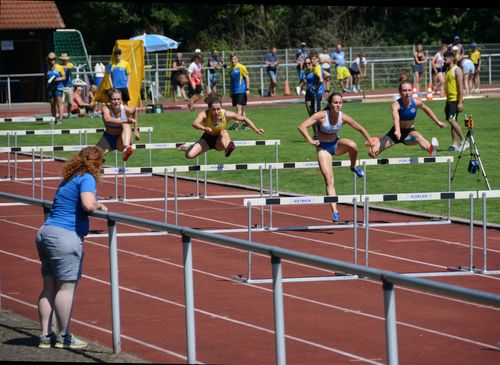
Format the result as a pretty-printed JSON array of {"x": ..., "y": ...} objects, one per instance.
[{"x": 390, "y": 323}]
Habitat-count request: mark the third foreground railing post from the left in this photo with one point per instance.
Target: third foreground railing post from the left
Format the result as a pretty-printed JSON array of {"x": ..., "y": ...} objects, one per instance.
[{"x": 279, "y": 320}]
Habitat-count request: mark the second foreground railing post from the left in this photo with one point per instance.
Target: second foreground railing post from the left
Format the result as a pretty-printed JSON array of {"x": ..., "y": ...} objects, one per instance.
[{"x": 189, "y": 299}]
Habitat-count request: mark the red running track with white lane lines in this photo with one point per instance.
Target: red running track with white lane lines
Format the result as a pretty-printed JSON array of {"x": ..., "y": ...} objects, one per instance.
[{"x": 334, "y": 322}]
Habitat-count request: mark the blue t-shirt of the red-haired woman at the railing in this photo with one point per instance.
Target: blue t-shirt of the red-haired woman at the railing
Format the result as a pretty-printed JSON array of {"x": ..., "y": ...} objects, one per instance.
[{"x": 67, "y": 211}]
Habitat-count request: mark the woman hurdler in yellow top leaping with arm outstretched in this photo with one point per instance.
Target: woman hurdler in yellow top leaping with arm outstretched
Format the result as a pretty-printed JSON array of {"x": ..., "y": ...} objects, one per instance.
[{"x": 213, "y": 123}]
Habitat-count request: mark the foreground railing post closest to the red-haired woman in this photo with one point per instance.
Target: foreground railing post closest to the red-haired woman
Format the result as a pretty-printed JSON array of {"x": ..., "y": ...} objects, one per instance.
[{"x": 115, "y": 296}]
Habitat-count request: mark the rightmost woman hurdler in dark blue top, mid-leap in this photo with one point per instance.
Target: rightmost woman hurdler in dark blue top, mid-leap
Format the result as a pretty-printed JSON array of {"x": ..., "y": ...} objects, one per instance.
[{"x": 404, "y": 112}]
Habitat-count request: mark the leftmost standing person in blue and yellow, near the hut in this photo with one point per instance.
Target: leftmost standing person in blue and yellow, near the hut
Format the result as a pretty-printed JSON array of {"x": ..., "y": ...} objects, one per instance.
[{"x": 55, "y": 87}]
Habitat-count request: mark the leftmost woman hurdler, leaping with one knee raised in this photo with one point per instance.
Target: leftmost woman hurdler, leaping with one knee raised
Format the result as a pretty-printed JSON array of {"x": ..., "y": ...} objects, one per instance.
[{"x": 118, "y": 120}]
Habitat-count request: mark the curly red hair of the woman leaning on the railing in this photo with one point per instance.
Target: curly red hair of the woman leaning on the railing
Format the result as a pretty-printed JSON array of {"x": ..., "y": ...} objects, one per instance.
[{"x": 89, "y": 159}]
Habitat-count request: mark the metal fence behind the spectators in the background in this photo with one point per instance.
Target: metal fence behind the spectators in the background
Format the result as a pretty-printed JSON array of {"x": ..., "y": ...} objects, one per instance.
[{"x": 384, "y": 64}]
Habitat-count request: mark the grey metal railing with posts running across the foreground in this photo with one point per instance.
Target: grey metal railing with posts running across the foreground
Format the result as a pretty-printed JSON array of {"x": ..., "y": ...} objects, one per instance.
[{"x": 388, "y": 278}]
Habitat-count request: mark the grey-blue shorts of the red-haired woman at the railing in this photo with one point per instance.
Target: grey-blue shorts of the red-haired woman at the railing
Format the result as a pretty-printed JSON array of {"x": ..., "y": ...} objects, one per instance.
[{"x": 61, "y": 252}]
